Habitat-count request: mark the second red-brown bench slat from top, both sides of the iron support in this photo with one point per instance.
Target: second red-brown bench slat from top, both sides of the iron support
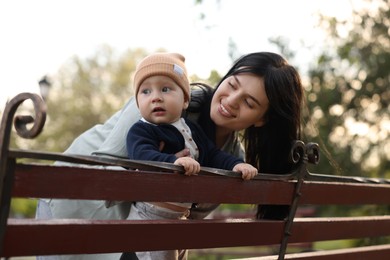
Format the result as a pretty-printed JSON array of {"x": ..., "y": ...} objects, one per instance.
[{"x": 34, "y": 237}]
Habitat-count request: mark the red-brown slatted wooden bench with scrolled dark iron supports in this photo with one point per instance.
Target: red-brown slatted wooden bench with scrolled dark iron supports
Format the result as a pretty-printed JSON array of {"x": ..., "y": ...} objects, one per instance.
[{"x": 155, "y": 182}]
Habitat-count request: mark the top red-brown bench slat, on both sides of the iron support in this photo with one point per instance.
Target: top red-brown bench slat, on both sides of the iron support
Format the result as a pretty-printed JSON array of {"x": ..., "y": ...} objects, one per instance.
[{"x": 74, "y": 183}]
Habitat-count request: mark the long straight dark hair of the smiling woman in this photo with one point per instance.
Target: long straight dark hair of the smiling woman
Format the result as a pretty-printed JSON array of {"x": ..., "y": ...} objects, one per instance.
[{"x": 268, "y": 147}]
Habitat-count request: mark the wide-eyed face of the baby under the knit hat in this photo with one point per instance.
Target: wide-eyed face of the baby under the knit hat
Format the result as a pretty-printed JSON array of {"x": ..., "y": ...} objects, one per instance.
[{"x": 161, "y": 100}]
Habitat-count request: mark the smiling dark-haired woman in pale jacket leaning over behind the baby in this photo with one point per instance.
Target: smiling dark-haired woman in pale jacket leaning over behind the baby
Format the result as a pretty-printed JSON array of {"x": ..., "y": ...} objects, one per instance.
[{"x": 260, "y": 95}]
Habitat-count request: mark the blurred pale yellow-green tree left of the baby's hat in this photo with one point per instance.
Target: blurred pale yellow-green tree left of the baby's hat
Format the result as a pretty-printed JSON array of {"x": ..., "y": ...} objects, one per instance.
[{"x": 86, "y": 92}]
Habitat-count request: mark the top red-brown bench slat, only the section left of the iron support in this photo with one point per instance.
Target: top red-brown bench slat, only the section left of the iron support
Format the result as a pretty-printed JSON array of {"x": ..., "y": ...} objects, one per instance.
[{"x": 41, "y": 181}]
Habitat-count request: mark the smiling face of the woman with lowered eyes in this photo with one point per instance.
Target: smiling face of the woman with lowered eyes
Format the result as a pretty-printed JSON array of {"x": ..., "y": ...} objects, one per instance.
[{"x": 239, "y": 102}]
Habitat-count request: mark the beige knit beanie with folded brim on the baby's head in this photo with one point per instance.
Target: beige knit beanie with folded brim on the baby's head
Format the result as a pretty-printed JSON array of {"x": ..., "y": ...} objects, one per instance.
[{"x": 166, "y": 64}]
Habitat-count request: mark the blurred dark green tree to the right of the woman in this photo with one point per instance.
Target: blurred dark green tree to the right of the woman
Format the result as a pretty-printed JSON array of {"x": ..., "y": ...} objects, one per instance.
[{"x": 349, "y": 92}]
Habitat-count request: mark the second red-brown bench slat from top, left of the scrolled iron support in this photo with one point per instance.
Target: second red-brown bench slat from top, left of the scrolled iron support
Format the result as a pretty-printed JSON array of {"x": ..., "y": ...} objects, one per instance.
[{"x": 31, "y": 237}]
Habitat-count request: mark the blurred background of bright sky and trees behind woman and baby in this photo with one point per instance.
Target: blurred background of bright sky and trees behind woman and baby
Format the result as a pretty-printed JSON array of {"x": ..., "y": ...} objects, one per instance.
[{"x": 83, "y": 53}]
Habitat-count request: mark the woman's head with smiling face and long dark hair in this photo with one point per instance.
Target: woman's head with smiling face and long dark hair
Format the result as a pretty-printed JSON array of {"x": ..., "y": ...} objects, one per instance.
[{"x": 270, "y": 126}]
